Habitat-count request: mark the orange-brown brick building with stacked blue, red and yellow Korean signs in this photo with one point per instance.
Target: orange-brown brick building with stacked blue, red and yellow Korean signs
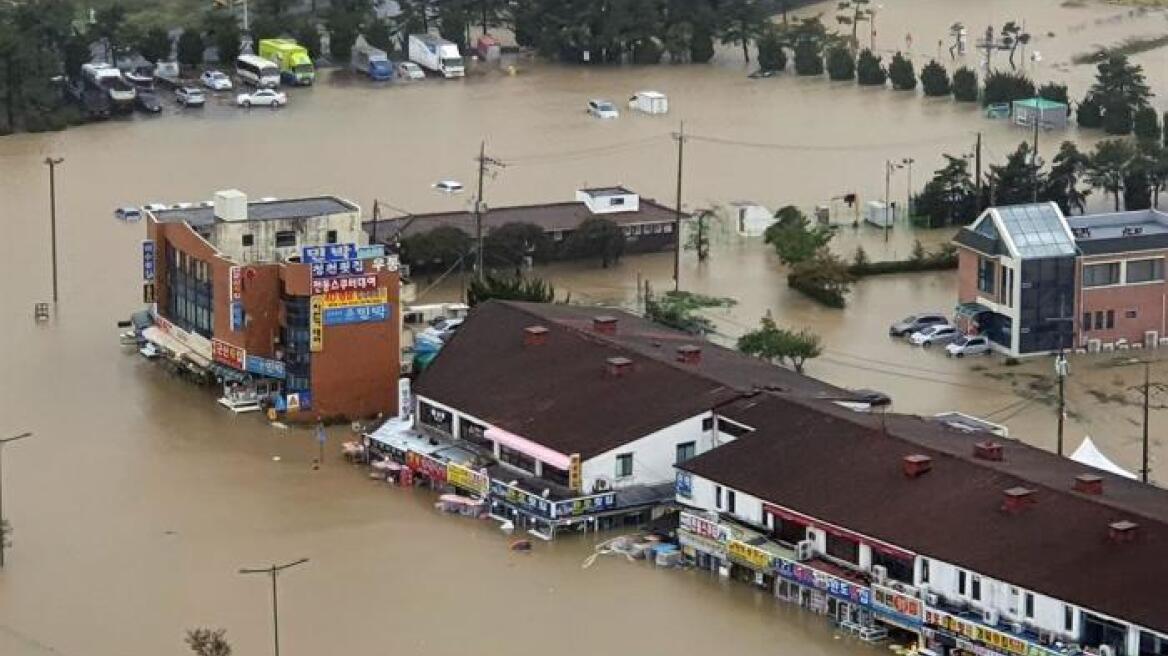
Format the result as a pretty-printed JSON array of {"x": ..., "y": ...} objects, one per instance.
[{"x": 280, "y": 301}]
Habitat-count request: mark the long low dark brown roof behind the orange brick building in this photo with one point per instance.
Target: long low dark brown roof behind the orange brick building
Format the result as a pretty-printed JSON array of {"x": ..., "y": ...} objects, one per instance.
[{"x": 550, "y": 217}]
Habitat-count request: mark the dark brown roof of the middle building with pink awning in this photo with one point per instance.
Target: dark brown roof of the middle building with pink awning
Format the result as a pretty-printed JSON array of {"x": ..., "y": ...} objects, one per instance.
[{"x": 560, "y": 394}]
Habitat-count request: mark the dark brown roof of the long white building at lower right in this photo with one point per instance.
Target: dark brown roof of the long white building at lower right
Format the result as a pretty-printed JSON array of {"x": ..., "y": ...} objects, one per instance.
[{"x": 842, "y": 467}]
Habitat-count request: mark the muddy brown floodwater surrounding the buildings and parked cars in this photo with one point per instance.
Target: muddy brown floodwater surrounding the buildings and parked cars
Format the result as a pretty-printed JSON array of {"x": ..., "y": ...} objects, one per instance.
[{"x": 138, "y": 500}]
